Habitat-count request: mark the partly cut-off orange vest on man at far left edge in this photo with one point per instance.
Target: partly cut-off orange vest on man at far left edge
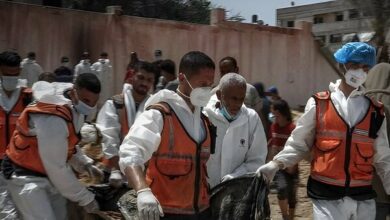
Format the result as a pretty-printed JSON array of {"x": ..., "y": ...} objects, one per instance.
[{"x": 8, "y": 119}]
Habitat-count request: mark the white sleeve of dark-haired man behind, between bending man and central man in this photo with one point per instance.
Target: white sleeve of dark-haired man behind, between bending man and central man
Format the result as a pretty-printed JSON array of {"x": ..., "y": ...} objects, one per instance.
[{"x": 108, "y": 123}]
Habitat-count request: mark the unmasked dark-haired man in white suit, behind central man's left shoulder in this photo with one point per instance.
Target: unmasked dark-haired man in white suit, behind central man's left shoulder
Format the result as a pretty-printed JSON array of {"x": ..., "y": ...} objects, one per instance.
[{"x": 118, "y": 114}]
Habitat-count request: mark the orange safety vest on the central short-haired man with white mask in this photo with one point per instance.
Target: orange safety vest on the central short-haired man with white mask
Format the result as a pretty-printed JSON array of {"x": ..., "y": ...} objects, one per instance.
[{"x": 177, "y": 172}]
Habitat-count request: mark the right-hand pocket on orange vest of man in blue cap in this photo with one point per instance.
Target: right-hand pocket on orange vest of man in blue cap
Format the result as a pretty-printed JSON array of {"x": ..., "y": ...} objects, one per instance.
[{"x": 363, "y": 158}]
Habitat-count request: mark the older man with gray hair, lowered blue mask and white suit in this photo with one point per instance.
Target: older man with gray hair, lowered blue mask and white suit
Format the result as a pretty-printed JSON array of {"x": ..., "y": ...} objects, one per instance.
[{"x": 241, "y": 143}]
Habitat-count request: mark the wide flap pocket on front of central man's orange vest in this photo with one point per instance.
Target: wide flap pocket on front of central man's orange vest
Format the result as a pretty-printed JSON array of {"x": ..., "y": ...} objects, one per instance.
[{"x": 174, "y": 167}]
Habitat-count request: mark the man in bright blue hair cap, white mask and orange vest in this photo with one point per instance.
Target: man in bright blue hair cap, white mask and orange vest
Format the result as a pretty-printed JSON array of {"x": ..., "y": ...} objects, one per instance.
[{"x": 345, "y": 133}]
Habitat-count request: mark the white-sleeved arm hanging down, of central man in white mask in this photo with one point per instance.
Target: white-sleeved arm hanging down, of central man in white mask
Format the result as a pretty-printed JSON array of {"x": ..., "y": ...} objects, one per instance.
[{"x": 138, "y": 146}]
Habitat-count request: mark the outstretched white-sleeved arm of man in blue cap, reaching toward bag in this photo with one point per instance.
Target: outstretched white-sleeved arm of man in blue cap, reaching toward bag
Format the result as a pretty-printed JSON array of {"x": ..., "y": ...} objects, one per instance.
[{"x": 301, "y": 140}]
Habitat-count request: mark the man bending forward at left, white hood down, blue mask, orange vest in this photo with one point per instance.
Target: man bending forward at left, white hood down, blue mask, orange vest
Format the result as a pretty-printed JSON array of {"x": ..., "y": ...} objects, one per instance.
[{"x": 43, "y": 149}]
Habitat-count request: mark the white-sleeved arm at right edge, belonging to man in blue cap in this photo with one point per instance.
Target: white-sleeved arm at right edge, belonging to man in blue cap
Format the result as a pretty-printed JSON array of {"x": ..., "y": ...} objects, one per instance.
[{"x": 382, "y": 156}]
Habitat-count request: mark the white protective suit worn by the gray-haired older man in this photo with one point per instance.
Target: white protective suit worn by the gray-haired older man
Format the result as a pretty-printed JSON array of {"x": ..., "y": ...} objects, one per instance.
[{"x": 241, "y": 145}]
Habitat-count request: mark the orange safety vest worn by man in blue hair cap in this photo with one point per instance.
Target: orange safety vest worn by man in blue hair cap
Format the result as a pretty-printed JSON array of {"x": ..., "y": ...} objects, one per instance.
[{"x": 342, "y": 156}]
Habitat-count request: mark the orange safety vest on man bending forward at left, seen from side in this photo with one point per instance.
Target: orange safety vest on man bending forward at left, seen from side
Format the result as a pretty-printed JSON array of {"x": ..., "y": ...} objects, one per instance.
[{"x": 23, "y": 147}]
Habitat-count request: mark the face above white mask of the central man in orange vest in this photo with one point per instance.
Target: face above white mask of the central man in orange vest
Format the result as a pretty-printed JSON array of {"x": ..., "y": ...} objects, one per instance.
[{"x": 204, "y": 78}]
